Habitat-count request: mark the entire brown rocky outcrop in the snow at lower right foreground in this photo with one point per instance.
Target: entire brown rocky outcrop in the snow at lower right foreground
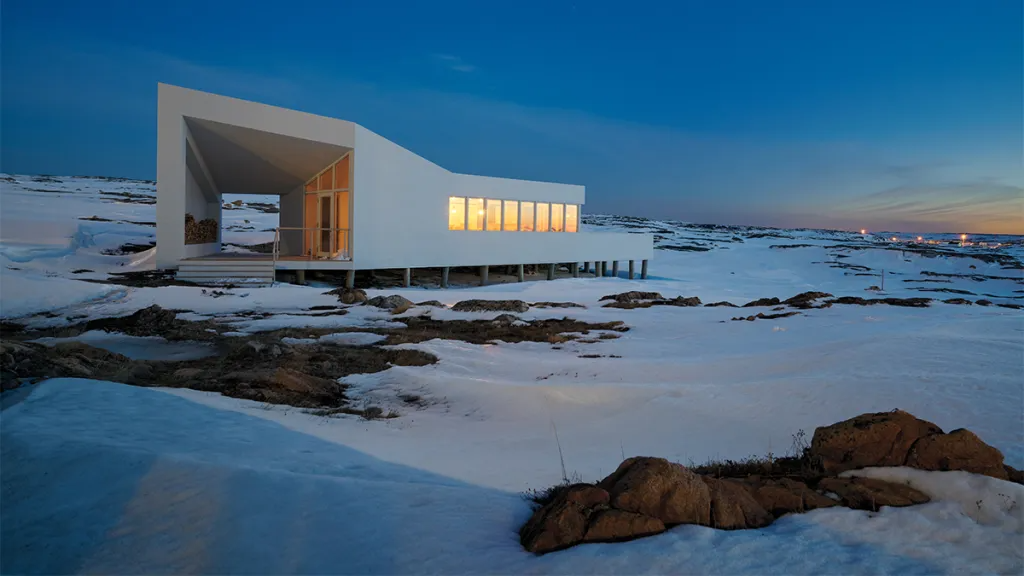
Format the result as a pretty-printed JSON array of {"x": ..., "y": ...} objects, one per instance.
[{"x": 647, "y": 496}]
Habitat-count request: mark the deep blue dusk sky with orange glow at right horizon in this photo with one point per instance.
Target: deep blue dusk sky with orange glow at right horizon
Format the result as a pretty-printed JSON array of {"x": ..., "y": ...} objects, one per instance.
[{"x": 890, "y": 115}]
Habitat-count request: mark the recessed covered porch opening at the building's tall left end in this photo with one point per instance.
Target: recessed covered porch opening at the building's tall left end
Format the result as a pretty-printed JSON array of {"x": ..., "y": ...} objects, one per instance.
[{"x": 313, "y": 182}]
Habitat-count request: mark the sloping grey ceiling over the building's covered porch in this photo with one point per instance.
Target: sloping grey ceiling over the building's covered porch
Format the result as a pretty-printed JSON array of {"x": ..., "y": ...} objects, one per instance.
[{"x": 247, "y": 161}]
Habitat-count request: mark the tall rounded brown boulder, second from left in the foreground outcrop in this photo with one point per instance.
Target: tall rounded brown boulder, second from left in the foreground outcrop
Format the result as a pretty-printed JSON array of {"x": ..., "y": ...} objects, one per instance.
[{"x": 660, "y": 489}]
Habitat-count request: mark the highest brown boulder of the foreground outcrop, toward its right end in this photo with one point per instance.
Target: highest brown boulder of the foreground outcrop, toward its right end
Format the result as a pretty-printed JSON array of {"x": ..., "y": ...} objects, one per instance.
[{"x": 882, "y": 439}]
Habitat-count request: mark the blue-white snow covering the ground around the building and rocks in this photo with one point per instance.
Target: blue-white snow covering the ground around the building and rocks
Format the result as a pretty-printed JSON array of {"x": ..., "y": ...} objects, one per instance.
[{"x": 108, "y": 478}]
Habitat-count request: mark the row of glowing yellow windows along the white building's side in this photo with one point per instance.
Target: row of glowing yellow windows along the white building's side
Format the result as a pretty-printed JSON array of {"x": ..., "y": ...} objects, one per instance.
[{"x": 511, "y": 216}]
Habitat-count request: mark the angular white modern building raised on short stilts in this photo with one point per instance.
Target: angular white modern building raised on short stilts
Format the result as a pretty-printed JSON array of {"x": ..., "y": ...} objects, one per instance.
[{"x": 351, "y": 199}]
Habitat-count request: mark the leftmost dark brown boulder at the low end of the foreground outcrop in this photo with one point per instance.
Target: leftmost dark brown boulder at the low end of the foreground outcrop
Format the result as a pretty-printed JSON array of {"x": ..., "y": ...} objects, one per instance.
[{"x": 563, "y": 523}]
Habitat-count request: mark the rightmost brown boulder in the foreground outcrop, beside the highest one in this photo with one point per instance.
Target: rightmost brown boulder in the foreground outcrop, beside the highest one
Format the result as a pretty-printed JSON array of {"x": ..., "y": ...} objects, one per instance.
[{"x": 959, "y": 450}]
